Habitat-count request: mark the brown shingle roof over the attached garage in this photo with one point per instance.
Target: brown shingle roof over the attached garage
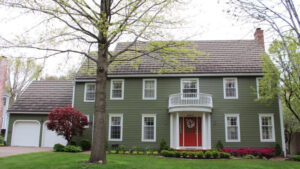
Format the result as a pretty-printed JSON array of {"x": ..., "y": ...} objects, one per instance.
[{"x": 43, "y": 96}]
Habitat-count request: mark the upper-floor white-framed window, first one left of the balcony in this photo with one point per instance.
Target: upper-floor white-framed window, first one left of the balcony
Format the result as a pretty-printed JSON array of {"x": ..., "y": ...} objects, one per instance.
[{"x": 149, "y": 89}]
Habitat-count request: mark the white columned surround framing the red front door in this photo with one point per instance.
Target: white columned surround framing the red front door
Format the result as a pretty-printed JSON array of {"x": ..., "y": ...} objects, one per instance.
[{"x": 175, "y": 133}]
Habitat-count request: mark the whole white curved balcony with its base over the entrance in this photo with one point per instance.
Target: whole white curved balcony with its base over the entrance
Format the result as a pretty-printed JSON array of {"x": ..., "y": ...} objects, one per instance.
[{"x": 190, "y": 102}]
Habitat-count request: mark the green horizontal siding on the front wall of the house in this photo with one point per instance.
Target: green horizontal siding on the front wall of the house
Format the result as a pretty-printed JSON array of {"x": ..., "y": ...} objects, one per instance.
[{"x": 132, "y": 108}]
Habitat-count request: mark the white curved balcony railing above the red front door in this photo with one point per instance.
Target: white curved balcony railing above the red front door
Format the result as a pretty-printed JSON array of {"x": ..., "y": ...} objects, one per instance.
[{"x": 190, "y": 99}]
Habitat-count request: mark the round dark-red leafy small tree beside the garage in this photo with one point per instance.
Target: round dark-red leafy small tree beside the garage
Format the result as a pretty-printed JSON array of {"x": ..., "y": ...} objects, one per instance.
[{"x": 67, "y": 121}]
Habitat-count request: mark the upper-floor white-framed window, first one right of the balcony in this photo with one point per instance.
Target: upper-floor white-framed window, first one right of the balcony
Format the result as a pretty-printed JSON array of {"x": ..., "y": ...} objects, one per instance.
[{"x": 230, "y": 86}]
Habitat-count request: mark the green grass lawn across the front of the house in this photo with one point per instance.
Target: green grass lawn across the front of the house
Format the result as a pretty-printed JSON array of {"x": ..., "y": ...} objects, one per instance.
[{"x": 75, "y": 161}]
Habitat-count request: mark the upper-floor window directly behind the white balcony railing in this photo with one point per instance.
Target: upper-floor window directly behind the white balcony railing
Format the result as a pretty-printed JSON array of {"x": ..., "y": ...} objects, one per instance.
[{"x": 189, "y": 88}]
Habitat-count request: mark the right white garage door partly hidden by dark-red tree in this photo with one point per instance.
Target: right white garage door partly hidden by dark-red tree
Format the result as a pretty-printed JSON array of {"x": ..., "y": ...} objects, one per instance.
[{"x": 50, "y": 138}]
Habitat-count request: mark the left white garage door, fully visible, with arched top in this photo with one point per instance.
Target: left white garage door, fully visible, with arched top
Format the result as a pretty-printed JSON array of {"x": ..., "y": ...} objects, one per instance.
[{"x": 26, "y": 133}]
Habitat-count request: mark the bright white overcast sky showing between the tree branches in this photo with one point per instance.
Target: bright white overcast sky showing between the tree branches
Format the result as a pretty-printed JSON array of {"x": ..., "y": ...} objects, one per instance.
[{"x": 205, "y": 20}]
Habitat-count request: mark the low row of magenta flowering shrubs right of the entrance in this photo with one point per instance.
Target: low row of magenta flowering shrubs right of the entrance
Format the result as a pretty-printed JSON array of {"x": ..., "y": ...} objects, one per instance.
[{"x": 266, "y": 152}]
